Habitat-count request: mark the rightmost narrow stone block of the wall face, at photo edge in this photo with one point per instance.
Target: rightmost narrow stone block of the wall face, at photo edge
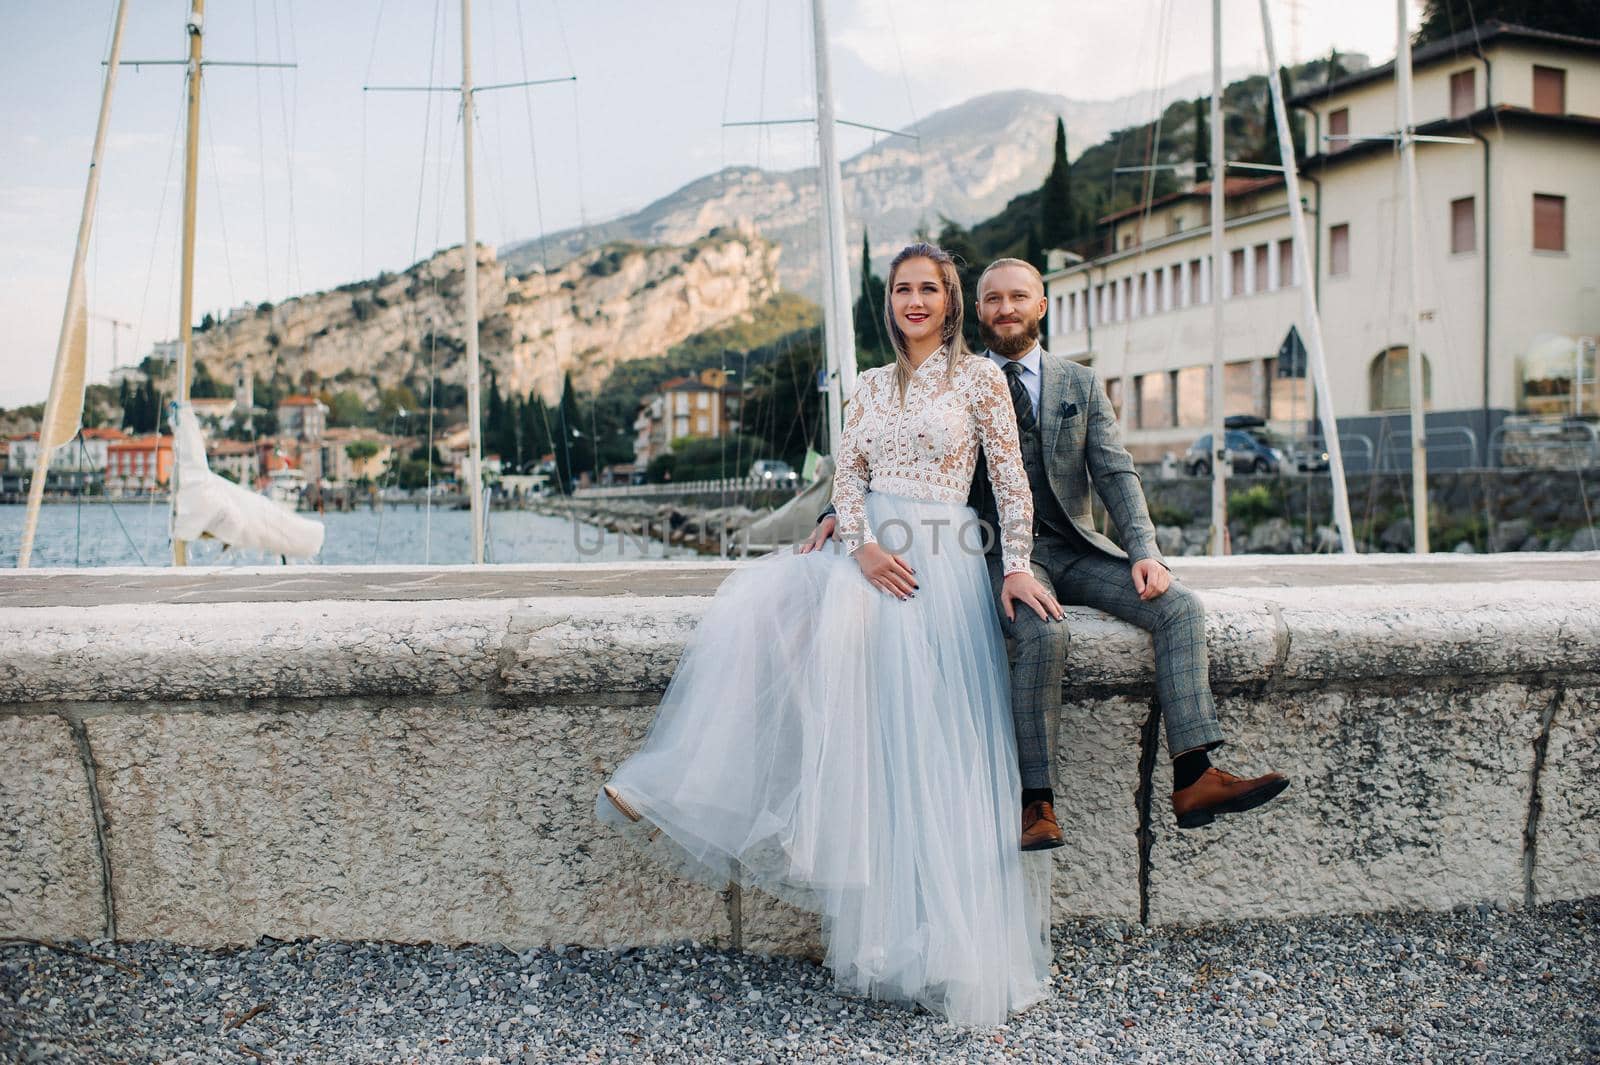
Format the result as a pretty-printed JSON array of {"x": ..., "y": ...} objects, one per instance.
[{"x": 1567, "y": 856}]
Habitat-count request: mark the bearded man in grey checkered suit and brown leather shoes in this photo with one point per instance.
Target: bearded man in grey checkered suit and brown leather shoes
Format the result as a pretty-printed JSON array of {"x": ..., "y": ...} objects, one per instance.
[{"x": 1070, "y": 437}]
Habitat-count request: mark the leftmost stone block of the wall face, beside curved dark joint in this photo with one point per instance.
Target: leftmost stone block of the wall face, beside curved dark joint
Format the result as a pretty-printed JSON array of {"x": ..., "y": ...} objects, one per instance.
[{"x": 50, "y": 872}]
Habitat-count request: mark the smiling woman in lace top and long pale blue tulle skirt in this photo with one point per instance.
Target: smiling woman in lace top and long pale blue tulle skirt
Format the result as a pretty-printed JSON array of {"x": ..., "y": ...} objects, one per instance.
[{"x": 839, "y": 732}]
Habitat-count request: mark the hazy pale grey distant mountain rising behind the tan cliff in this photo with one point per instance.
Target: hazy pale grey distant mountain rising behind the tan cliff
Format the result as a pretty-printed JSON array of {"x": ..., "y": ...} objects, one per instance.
[{"x": 967, "y": 164}]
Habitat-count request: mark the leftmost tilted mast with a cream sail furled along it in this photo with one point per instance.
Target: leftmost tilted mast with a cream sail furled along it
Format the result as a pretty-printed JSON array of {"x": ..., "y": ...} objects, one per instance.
[{"x": 65, "y": 378}]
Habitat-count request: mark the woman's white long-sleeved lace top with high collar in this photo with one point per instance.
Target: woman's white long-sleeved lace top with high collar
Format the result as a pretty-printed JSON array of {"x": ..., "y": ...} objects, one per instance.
[{"x": 927, "y": 449}]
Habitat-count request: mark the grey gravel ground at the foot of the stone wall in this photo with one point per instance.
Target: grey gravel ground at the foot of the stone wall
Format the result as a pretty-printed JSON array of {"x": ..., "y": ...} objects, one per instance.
[{"x": 1479, "y": 986}]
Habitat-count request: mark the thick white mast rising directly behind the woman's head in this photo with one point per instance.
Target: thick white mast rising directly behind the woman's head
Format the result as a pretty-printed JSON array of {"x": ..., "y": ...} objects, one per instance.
[{"x": 838, "y": 332}]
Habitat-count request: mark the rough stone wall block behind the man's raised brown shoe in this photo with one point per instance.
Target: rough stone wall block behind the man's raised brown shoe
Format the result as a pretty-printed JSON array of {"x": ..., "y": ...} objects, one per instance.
[{"x": 1414, "y": 804}]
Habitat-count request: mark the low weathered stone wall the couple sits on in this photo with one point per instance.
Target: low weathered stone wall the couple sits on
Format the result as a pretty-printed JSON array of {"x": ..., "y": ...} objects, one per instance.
[{"x": 378, "y": 768}]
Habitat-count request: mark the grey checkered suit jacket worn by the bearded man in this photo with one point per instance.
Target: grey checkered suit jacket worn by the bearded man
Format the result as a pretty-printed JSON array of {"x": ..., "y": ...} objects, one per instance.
[{"x": 1082, "y": 445}]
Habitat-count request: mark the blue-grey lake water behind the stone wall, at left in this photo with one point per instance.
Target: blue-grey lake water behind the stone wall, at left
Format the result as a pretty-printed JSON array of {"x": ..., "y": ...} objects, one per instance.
[{"x": 135, "y": 533}]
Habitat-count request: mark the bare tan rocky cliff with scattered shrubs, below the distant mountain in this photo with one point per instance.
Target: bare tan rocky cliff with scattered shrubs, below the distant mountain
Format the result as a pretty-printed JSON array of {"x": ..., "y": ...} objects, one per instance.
[{"x": 607, "y": 306}]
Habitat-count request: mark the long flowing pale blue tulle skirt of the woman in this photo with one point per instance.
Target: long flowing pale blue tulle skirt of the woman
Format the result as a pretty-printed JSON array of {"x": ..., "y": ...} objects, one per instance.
[{"x": 854, "y": 754}]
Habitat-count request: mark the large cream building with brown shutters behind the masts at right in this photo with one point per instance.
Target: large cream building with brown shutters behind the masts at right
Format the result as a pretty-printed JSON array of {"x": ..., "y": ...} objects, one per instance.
[{"x": 1510, "y": 265}]
